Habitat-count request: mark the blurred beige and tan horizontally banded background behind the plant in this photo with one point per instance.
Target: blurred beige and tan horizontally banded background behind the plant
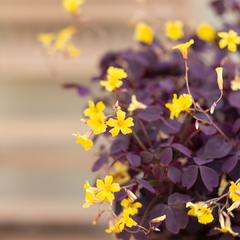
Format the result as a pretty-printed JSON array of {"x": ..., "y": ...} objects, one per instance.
[{"x": 42, "y": 170}]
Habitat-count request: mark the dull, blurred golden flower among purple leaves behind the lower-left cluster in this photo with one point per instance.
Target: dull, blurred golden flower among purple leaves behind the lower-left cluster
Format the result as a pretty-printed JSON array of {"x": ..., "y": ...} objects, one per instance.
[{"x": 120, "y": 173}]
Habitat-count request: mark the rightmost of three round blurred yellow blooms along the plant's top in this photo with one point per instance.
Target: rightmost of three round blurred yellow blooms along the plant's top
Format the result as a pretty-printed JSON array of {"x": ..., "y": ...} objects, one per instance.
[{"x": 206, "y": 32}]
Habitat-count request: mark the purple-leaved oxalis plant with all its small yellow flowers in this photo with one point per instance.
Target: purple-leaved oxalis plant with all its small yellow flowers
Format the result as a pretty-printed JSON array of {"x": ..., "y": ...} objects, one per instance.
[{"x": 173, "y": 118}]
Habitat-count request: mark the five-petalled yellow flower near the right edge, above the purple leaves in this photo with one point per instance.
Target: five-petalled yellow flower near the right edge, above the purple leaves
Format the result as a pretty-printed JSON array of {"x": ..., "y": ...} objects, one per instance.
[{"x": 229, "y": 39}]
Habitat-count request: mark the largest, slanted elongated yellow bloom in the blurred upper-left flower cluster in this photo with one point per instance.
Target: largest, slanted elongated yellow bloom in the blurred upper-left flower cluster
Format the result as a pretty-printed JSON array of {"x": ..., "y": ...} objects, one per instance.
[{"x": 63, "y": 37}]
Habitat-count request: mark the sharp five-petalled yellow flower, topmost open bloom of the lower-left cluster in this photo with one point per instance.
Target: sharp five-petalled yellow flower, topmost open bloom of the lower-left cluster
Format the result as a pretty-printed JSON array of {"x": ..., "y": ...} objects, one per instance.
[{"x": 106, "y": 189}]
